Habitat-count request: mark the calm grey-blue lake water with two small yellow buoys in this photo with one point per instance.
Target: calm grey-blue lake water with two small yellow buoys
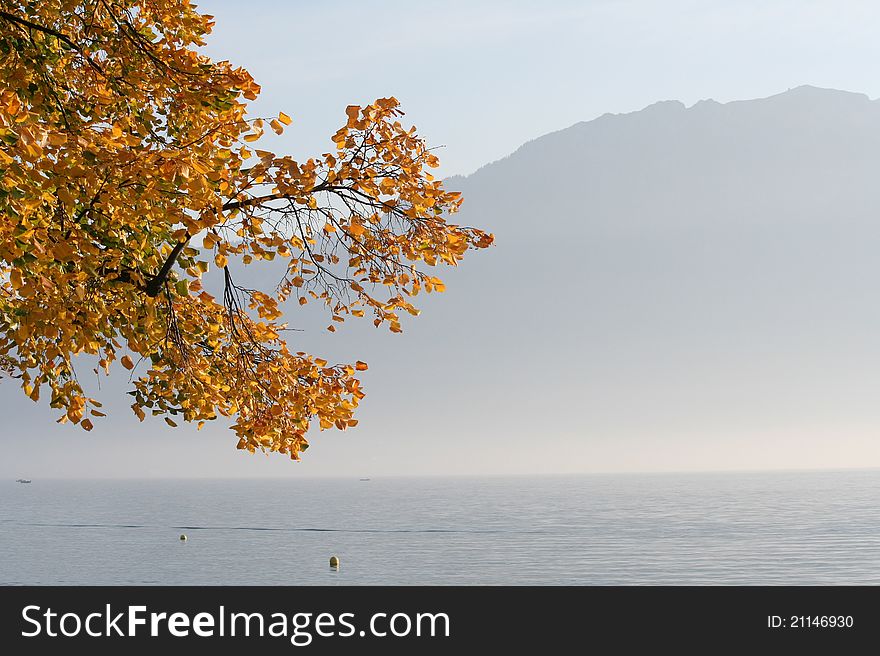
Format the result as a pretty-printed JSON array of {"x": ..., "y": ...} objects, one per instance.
[{"x": 754, "y": 528}]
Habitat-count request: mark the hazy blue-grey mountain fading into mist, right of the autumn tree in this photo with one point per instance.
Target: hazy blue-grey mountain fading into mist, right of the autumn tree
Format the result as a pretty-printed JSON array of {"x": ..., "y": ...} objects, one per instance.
[{"x": 710, "y": 269}]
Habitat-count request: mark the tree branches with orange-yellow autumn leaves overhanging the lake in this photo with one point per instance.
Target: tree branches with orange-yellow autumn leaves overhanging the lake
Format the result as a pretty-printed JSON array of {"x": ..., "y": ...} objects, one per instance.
[{"x": 122, "y": 150}]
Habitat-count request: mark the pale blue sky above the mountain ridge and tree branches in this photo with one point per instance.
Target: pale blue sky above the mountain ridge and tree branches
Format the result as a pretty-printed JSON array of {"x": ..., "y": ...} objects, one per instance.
[{"x": 481, "y": 78}]
